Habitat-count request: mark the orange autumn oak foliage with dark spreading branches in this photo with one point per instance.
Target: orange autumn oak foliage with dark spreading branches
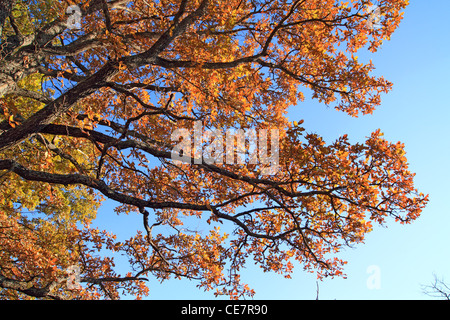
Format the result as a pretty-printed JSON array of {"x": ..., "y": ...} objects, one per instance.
[{"x": 88, "y": 113}]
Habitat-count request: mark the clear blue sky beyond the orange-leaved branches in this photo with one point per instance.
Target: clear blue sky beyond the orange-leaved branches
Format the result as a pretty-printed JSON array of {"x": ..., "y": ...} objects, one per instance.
[{"x": 416, "y": 112}]
